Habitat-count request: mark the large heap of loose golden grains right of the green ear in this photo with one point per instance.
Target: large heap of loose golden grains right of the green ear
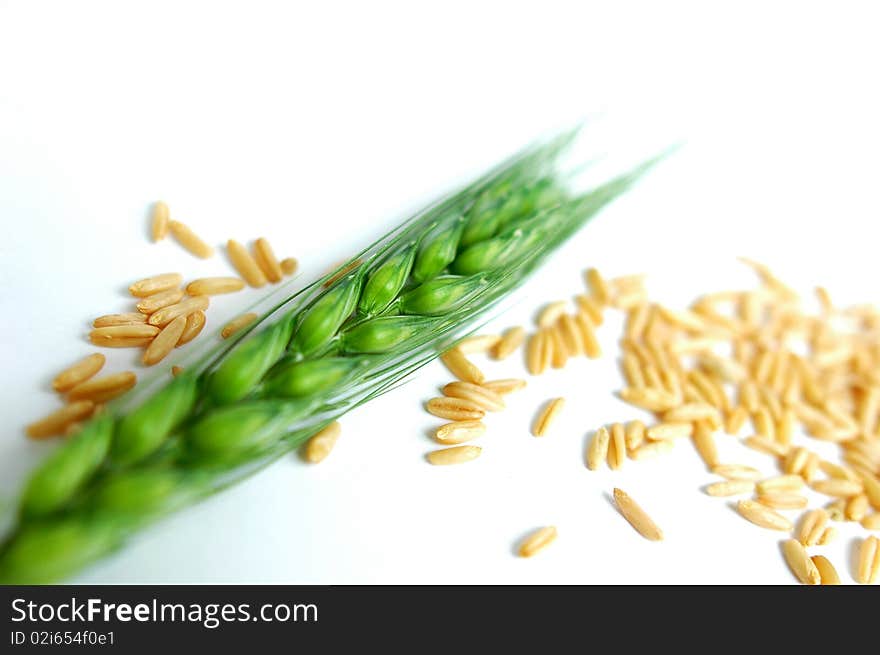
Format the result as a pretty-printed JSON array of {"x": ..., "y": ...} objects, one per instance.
[{"x": 750, "y": 362}]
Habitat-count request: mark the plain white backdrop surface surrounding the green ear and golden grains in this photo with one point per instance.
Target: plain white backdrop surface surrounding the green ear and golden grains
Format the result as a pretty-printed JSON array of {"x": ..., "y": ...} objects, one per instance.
[{"x": 319, "y": 125}]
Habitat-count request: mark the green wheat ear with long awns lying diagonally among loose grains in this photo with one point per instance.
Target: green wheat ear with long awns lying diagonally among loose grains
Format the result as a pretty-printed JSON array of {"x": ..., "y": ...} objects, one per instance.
[{"x": 311, "y": 358}]
